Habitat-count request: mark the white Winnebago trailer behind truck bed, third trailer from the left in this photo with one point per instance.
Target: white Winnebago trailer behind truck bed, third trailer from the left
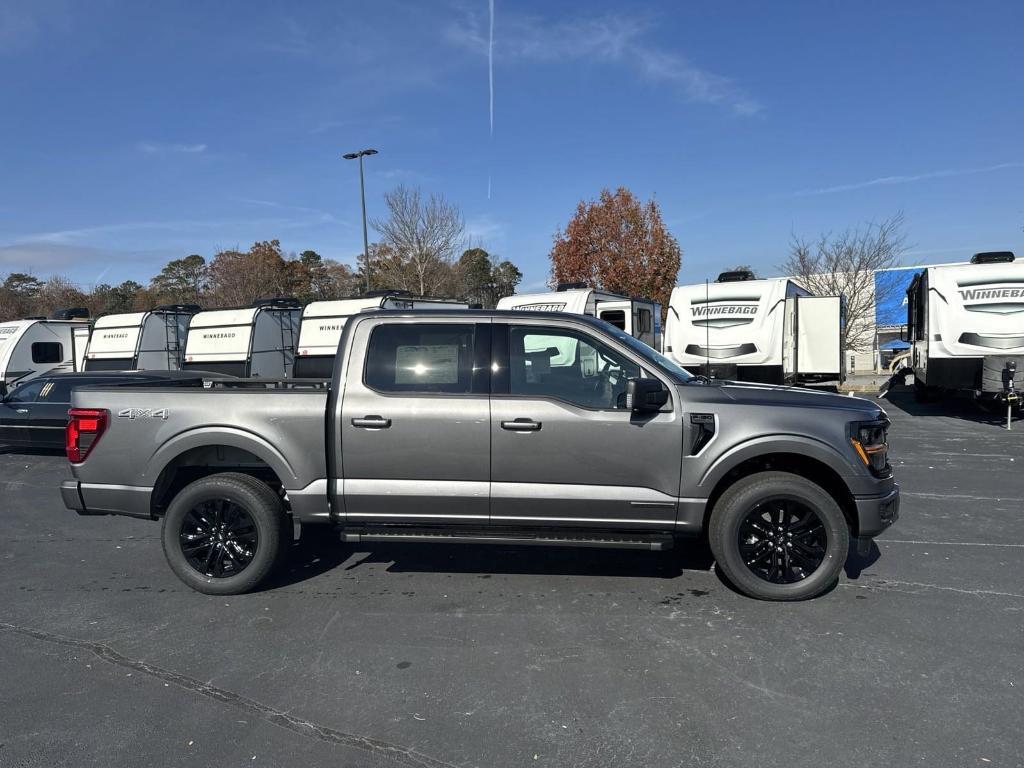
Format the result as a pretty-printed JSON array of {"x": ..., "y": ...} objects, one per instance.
[{"x": 258, "y": 342}]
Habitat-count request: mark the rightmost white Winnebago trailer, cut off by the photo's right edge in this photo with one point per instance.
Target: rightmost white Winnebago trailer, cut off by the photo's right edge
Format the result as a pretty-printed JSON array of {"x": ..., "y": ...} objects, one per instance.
[{"x": 966, "y": 324}]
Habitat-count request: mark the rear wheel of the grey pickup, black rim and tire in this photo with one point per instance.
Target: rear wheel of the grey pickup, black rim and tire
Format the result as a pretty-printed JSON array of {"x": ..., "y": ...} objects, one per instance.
[{"x": 201, "y": 514}]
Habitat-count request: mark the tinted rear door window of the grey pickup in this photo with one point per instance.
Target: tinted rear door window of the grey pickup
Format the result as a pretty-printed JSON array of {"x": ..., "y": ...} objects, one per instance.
[{"x": 420, "y": 359}]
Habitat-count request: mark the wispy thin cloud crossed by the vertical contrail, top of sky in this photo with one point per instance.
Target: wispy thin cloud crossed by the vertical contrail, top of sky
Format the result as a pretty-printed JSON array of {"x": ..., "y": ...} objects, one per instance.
[{"x": 623, "y": 40}]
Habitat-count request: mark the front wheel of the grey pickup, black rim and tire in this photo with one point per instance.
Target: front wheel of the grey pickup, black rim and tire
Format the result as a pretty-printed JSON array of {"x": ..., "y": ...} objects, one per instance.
[{"x": 738, "y": 536}]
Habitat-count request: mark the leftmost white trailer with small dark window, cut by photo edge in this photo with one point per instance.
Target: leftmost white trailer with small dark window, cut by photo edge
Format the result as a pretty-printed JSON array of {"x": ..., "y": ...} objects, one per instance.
[{"x": 35, "y": 347}]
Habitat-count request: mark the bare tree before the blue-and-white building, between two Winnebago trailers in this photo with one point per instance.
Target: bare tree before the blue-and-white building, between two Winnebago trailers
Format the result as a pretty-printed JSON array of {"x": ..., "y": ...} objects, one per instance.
[{"x": 846, "y": 264}]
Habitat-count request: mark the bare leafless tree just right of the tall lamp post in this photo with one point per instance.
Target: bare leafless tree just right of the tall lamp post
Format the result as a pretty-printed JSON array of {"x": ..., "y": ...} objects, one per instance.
[{"x": 422, "y": 238}]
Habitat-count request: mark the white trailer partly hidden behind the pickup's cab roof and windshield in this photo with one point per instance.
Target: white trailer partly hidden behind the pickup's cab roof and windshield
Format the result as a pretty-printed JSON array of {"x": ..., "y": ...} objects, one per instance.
[{"x": 642, "y": 319}]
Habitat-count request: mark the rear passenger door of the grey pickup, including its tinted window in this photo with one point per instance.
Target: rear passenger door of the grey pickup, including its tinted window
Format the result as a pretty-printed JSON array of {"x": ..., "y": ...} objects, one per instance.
[{"x": 415, "y": 428}]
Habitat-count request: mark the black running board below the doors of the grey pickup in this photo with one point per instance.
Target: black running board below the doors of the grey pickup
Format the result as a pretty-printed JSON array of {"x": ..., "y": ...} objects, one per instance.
[{"x": 604, "y": 541}]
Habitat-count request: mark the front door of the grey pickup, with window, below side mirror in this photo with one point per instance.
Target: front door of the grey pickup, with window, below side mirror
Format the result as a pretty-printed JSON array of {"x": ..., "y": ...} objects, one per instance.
[{"x": 565, "y": 449}]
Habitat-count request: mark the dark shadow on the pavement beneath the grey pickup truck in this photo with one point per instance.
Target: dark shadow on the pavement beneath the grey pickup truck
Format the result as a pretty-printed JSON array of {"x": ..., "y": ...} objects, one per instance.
[{"x": 313, "y": 557}]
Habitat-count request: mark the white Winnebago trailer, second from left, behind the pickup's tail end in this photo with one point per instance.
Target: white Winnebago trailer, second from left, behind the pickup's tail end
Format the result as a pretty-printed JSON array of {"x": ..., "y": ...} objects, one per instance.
[{"x": 154, "y": 340}]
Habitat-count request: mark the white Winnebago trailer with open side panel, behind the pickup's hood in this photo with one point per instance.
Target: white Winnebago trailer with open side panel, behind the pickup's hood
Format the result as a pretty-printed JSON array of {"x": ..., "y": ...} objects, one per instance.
[{"x": 771, "y": 331}]
